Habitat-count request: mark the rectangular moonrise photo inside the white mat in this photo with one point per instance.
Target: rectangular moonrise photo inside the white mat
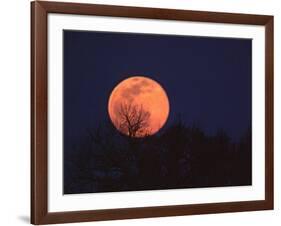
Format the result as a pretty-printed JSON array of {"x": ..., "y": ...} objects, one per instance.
[{"x": 148, "y": 111}]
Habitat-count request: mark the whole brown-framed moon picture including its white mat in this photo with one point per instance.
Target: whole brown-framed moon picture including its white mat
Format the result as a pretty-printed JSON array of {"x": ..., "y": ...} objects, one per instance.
[{"x": 145, "y": 112}]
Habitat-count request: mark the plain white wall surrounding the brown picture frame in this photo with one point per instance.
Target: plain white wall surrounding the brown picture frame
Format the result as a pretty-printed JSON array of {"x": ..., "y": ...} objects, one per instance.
[{"x": 15, "y": 112}]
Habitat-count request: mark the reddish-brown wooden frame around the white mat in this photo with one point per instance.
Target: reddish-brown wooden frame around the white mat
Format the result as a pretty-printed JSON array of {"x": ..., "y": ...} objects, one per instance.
[{"x": 39, "y": 111}]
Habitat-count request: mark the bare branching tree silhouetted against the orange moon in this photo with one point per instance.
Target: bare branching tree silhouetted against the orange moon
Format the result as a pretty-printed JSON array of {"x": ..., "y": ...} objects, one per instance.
[{"x": 133, "y": 120}]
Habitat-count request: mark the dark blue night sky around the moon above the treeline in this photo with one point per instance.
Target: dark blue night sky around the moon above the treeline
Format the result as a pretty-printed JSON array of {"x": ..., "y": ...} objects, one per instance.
[{"x": 208, "y": 80}]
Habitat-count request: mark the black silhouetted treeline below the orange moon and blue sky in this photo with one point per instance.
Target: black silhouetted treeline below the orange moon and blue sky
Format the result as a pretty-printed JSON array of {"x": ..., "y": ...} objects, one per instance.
[{"x": 178, "y": 157}]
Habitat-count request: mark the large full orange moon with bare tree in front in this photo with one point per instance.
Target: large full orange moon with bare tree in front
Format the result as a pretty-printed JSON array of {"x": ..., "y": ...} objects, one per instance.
[{"x": 138, "y": 106}]
